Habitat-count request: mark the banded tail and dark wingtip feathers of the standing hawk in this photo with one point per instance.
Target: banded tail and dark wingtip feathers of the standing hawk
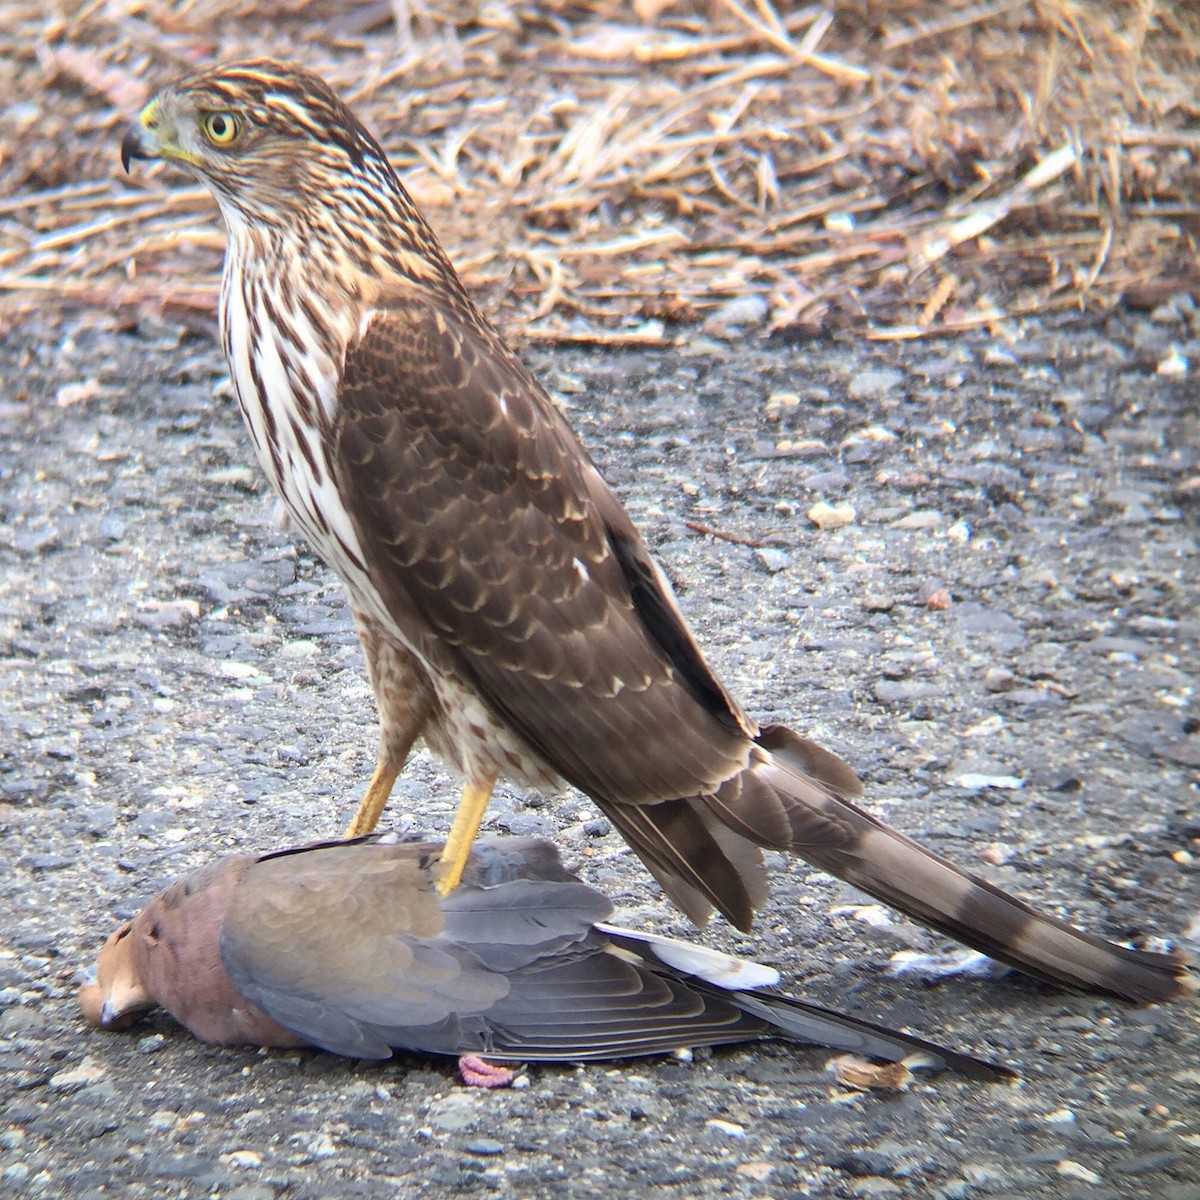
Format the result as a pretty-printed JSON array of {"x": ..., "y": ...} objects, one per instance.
[{"x": 791, "y": 797}]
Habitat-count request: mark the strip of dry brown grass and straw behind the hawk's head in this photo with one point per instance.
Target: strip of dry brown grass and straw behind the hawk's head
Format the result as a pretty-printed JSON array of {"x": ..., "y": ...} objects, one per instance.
[{"x": 603, "y": 170}]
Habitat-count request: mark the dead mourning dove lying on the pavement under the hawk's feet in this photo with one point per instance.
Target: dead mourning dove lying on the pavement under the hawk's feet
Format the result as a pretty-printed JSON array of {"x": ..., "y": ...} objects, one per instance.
[{"x": 350, "y": 947}]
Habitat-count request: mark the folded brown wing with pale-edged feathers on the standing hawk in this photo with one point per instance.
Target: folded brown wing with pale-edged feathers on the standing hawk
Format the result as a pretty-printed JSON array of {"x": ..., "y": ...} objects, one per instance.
[{"x": 503, "y": 556}]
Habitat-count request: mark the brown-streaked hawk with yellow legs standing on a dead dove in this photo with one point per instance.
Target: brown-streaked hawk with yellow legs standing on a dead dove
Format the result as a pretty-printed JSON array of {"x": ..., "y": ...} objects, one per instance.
[{"x": 511, "y": 614}]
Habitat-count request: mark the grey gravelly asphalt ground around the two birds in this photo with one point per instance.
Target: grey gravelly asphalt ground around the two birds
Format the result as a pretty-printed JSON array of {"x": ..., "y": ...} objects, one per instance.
[{"x": 1004, "y": 641}]
